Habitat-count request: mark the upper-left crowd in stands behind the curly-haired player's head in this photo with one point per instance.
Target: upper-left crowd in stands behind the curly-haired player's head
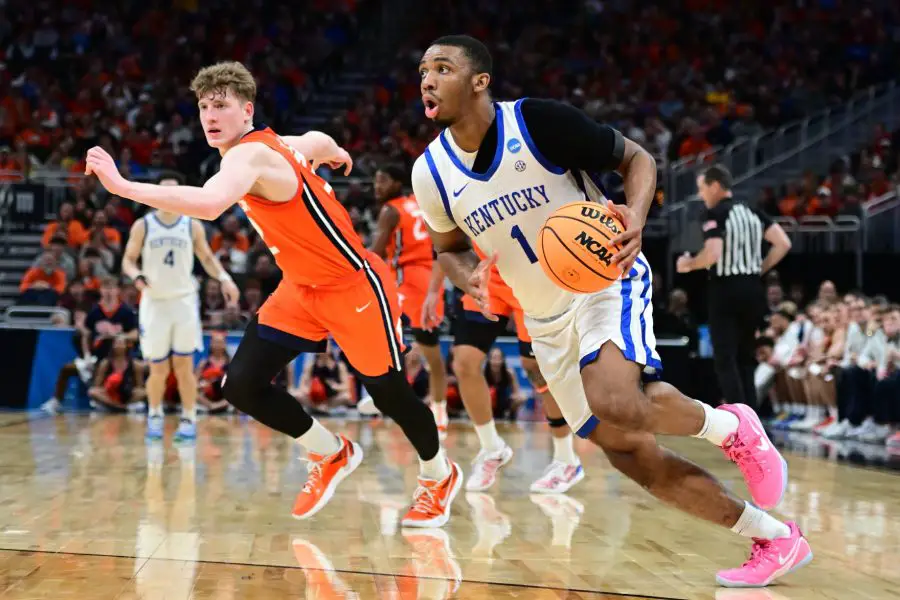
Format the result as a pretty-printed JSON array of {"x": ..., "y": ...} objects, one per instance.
[{"x": 74, "y": 77}]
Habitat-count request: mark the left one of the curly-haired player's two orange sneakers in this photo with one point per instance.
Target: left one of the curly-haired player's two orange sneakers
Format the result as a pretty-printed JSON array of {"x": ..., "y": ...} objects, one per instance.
[{"x": 325, "y": 473}]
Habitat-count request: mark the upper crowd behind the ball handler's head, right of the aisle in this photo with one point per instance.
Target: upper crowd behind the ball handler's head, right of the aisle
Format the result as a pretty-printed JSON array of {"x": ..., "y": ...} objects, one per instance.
[{"x": 681, "y": 78}]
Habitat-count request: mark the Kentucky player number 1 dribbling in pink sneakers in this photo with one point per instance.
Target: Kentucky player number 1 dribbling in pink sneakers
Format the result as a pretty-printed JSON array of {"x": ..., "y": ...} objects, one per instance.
[{"x": 493, "y": 176}]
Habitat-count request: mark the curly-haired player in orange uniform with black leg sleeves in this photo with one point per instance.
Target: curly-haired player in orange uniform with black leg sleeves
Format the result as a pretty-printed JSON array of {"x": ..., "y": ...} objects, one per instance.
[{"x": 331, "y": 285}]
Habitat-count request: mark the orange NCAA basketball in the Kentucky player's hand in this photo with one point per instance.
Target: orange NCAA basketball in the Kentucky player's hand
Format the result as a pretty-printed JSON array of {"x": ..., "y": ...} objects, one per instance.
[{"x": 574, "y": 247}]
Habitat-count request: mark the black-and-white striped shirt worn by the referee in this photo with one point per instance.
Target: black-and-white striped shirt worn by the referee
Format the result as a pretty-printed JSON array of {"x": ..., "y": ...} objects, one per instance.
[{"x": 742, "y": 230}]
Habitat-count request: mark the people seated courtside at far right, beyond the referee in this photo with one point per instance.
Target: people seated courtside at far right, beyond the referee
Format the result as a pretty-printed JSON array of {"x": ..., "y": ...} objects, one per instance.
[{"x": 833, "y": 366}]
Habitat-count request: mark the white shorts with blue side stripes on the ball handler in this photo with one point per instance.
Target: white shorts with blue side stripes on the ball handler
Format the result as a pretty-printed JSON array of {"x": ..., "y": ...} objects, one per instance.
[{"x": 563, "y": 345}]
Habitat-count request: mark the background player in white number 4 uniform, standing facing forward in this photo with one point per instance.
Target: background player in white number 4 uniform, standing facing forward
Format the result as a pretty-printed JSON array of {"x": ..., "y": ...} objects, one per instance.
[{"x": 169, "y": 313}]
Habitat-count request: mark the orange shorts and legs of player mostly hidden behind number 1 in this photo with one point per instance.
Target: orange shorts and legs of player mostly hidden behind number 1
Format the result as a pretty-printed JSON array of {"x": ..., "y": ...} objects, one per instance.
[{"x": 474, "y": 335}]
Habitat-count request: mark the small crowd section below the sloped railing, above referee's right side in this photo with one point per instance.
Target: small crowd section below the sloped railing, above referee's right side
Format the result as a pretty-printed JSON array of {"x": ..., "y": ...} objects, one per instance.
[{"x": 850, "y": 182}]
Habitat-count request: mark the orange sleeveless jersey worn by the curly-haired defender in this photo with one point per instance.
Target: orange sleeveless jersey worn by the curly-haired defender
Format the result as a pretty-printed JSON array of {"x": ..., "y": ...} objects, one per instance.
[{"x": 311, "y": 235}]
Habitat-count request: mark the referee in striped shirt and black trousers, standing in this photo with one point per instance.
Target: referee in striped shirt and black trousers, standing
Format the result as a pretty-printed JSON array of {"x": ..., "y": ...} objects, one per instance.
[{"x": 732, "y": 252}]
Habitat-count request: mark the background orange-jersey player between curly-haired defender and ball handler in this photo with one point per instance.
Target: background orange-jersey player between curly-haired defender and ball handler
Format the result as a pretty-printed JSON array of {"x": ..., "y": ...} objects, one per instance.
[{"x": 403, "y": 241}]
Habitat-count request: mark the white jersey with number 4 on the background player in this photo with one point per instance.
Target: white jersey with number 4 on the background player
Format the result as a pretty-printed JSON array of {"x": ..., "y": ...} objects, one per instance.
[{"x": 167, "y": 258}]
